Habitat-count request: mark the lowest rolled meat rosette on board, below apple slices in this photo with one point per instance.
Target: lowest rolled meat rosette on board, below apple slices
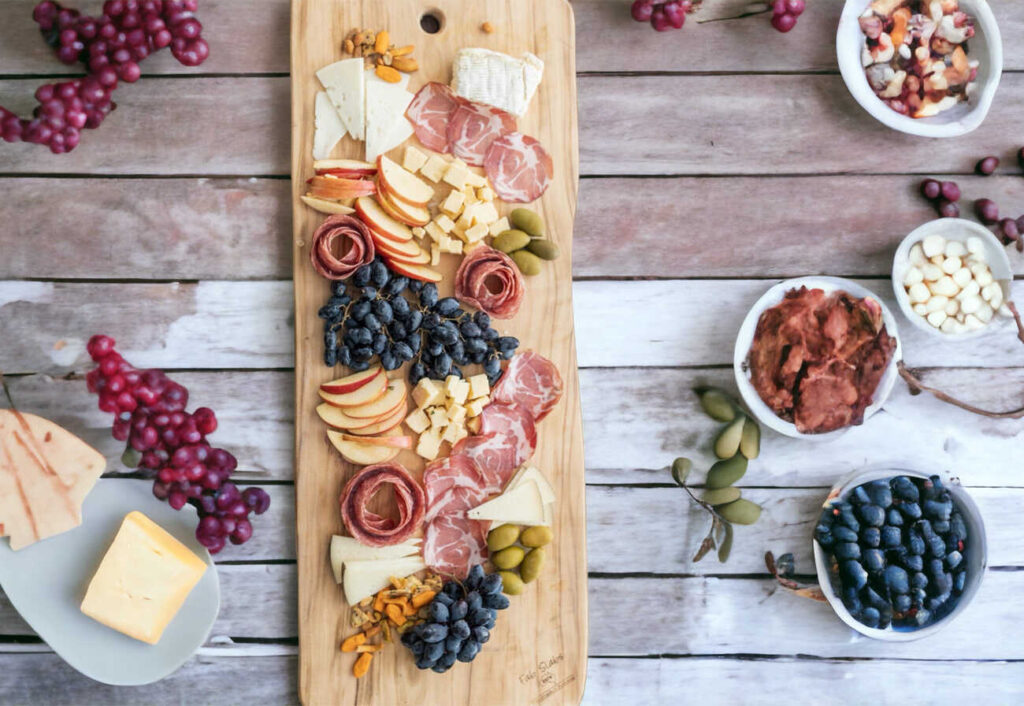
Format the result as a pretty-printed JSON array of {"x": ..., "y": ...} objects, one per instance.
[{"x": 370, "y": 528}]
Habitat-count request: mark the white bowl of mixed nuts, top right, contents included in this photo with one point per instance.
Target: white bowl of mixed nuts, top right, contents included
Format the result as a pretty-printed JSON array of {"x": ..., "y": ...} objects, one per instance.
[{"x": 928, "y": 68}]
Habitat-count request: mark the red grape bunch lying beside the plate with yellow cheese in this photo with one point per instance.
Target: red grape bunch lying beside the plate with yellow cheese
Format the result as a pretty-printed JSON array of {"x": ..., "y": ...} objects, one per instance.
[{"x": 169, "y": 445}]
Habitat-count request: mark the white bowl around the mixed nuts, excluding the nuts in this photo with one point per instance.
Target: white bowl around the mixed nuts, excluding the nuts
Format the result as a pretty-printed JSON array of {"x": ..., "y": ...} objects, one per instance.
[{"x": 854, "y": 75}]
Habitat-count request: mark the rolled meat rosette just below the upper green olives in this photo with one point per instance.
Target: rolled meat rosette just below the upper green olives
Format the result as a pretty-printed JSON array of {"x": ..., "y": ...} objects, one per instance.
[{"x": 489, "y": 280}]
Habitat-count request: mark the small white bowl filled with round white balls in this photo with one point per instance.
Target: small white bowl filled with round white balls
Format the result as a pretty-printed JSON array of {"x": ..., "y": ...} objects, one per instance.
[{"x": 952, "y": 279}]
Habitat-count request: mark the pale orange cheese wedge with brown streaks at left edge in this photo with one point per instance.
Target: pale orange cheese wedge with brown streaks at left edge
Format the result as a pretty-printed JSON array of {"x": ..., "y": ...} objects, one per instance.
[{"x": 46, "y": 474}]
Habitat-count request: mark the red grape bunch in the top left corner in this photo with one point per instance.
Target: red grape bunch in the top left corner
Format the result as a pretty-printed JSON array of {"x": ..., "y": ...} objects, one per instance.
[{"x": 111, "y": 49}]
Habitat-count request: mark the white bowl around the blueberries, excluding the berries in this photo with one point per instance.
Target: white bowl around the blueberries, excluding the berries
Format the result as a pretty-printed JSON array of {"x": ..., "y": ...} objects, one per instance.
[{"x": 967, "y": 507}]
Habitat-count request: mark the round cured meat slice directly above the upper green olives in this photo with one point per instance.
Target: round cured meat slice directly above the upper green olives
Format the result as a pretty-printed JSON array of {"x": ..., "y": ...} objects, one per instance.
[{"x": 520, "y": 169}]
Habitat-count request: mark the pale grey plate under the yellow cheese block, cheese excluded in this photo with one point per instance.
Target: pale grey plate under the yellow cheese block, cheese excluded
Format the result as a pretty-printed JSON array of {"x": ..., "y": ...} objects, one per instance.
[{"x": 46, "y": 584}]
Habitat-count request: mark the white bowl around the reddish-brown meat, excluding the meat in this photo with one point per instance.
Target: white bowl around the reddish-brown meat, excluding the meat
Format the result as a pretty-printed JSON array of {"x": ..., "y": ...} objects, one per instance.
[{"x": 745, "y": 340}]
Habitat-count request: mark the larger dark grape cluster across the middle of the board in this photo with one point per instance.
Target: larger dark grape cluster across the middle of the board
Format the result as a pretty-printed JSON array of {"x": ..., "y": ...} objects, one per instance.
[{"x": 399, "y": 320}]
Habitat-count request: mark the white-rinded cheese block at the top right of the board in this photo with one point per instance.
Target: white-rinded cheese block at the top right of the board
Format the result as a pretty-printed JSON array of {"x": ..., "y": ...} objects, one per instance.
[{"x": 497, "y": 79}]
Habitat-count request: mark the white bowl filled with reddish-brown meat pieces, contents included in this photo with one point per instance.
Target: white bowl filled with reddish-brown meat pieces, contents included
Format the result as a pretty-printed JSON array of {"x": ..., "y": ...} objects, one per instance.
[{"x": 817, "y": 356}]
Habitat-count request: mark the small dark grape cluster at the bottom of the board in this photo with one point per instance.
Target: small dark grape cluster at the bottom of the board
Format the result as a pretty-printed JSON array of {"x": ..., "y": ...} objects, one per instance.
[{"x": 462, "y": 616}]
